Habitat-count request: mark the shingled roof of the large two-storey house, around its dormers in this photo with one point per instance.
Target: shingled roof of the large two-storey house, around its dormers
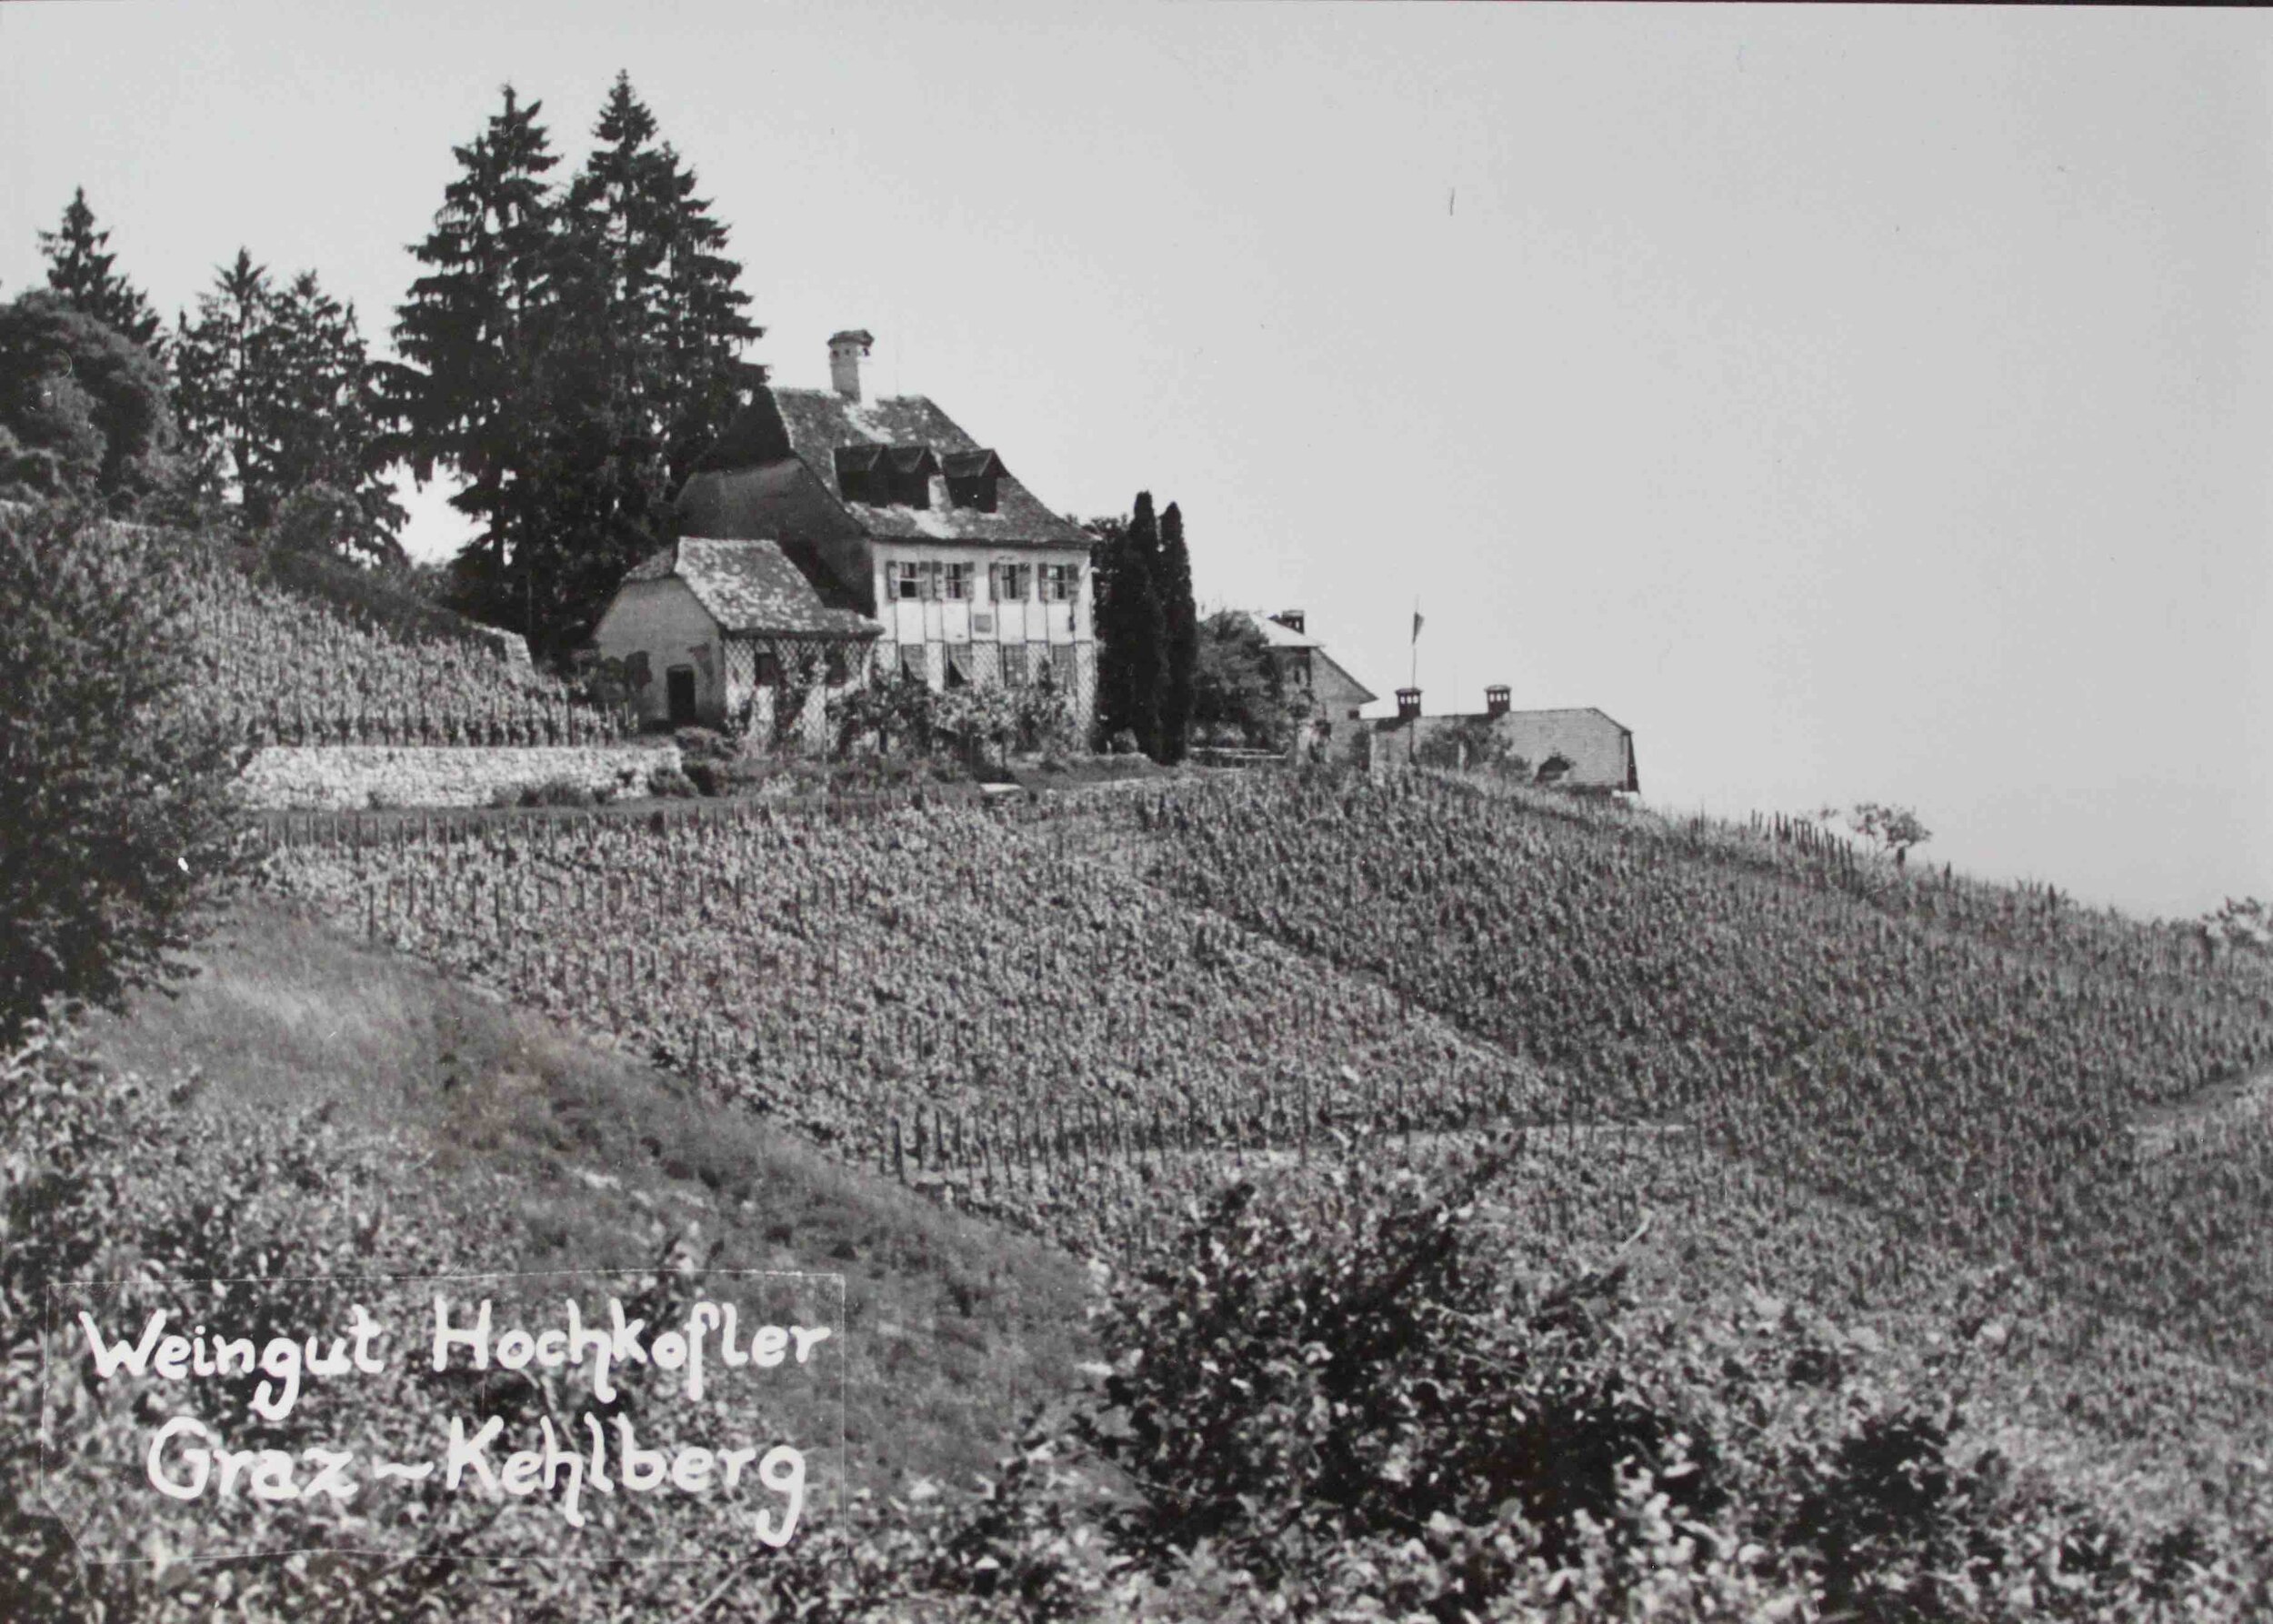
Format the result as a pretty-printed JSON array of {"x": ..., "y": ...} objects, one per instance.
[{"x": 822, "y": 422}]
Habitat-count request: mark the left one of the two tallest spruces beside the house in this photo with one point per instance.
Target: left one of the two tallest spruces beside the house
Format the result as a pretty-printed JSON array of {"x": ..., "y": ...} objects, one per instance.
[{"x": 472, "y": 335}]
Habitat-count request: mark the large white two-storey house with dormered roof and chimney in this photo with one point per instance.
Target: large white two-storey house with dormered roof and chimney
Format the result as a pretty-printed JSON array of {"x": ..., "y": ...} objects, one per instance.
[{"x": 915, "y": 527}]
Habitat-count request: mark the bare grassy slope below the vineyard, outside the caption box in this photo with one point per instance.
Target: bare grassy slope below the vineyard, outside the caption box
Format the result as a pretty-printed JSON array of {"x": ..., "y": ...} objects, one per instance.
[{"x": 565, "y": 1154}]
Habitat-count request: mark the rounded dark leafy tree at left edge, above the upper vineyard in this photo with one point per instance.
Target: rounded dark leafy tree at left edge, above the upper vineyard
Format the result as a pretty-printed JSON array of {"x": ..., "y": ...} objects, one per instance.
[{"x": 83, "y": 411}]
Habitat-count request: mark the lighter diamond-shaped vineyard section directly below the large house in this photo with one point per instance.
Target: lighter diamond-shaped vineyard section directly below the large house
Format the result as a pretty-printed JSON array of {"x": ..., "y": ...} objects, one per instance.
[{"x": 931, "y": 993}]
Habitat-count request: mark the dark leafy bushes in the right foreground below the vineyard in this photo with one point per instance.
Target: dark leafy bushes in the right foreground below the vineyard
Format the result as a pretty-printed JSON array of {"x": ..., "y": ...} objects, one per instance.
[{"x": 1369, "y": 1407}]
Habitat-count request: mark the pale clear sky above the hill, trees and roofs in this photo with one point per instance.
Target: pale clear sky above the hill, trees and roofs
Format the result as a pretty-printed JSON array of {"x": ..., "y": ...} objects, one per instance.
[{"x": 1858, "y": 404}]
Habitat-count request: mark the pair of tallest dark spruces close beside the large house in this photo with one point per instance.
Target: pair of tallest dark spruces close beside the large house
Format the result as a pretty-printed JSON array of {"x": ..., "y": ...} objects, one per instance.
[{"x": 569, "y": 356}]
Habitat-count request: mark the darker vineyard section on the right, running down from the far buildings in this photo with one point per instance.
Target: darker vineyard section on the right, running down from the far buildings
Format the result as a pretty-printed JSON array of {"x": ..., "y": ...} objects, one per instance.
[{"x": 1967, "y": 1061}]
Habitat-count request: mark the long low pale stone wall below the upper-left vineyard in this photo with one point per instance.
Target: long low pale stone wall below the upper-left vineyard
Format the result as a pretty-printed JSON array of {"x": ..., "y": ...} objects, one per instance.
[{"x": 347, "y": 777}]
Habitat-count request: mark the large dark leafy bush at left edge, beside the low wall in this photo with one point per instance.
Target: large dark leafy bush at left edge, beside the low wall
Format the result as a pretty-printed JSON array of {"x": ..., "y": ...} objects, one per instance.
[{"x": 115, "y": 809}]
